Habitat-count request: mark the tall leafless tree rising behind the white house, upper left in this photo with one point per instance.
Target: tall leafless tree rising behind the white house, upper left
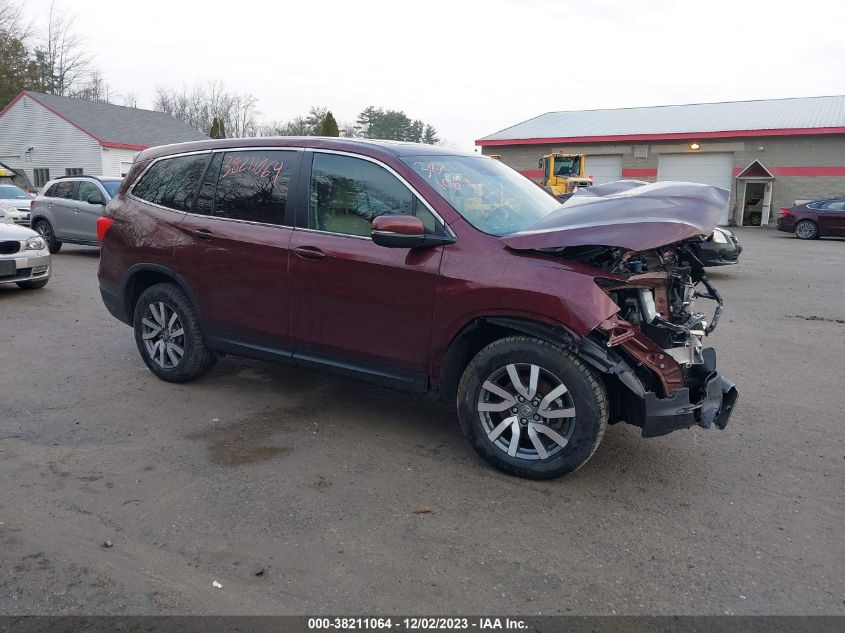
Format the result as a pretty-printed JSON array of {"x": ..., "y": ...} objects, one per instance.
[{"x": 62, "y": 61}]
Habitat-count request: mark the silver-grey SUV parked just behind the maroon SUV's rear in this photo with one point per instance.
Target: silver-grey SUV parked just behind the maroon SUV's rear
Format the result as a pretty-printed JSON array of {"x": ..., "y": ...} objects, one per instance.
[{"x": 68, "y": 209}]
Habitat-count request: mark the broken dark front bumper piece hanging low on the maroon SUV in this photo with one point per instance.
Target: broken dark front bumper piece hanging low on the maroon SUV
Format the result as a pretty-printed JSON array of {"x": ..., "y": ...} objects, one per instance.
[{"x": 664, "y": 415}]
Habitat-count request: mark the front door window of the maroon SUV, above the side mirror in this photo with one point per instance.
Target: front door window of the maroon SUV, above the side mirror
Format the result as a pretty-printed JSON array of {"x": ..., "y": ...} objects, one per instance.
[{"x": 347, "y": 193}]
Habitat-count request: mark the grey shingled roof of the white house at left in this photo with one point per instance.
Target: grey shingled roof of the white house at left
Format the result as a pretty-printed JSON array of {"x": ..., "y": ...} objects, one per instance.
[{"x": 118, "y": 126}]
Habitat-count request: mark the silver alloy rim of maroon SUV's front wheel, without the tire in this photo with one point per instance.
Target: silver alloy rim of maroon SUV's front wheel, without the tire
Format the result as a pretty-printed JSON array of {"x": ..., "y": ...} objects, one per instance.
[{"x": 526, "y": 411}]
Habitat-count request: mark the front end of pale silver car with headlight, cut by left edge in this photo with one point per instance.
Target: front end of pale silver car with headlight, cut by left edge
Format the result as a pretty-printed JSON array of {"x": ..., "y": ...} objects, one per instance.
[{"x": 24, "y": 257}]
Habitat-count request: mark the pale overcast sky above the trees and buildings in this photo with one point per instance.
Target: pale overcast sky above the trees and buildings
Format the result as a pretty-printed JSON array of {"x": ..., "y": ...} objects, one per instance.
[{"x": 469, "y": 67}]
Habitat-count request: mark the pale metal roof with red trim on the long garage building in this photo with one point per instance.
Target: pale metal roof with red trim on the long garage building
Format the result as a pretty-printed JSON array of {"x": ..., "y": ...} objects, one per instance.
[{"x": 772, "y": 117}]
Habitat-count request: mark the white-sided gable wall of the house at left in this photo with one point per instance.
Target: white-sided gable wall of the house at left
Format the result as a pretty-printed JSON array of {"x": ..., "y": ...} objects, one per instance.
[{"x": 57, "y": 145}]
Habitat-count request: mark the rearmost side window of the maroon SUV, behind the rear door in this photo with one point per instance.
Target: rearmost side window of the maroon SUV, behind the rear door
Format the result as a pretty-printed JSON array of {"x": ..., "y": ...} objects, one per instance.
[{"x": 172, "y": 182}]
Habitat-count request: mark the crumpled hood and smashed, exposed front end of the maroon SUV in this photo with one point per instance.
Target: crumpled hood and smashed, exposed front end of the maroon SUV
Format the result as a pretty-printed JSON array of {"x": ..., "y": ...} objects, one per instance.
[{"x": 654, "y": 343}]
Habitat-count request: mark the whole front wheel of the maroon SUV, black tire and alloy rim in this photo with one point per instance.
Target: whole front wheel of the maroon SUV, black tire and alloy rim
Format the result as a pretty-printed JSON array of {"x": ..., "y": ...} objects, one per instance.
[{"x": 531, "y": 408}]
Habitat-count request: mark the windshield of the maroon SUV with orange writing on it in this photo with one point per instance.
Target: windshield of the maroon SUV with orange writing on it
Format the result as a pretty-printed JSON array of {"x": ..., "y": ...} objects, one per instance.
[{"x": 488, "y": 194}]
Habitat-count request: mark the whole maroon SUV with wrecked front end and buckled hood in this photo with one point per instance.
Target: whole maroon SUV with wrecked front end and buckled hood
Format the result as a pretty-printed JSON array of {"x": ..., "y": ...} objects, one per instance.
[{"x": 426, "y": 270}]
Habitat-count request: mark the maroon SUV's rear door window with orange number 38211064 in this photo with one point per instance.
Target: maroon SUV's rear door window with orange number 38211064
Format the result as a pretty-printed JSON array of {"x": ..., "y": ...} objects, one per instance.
[{"x": 250, "y": 185}]
